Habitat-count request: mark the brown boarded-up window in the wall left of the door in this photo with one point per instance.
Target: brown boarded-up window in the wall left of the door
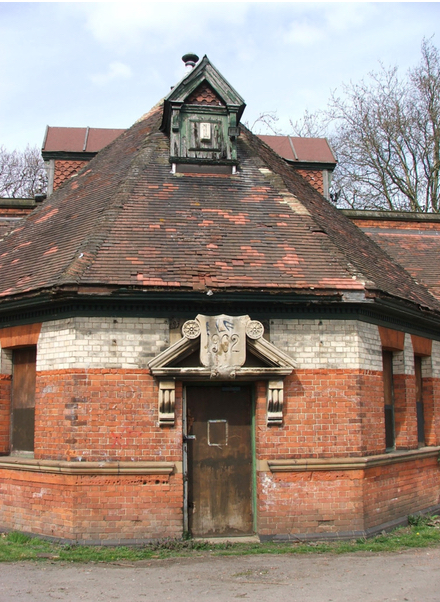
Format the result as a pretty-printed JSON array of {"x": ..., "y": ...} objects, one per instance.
[{"x": 23, "y": 398}]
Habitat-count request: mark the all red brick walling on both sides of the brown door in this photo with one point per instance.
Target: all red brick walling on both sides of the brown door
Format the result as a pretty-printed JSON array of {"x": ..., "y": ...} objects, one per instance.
[{"x": 110, "y": 415}]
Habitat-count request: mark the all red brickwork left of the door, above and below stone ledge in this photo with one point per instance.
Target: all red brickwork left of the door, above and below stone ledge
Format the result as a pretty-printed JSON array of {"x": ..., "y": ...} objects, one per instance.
[{"x": 95, "y": 415}]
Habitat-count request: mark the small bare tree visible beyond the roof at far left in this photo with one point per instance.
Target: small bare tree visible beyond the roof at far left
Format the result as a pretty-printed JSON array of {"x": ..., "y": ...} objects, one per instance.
[{"x": 22, "y": 174}]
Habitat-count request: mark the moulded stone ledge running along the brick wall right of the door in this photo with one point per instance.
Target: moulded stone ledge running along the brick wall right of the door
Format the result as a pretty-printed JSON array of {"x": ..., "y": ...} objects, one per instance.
[{"x": 348, "y": 463}]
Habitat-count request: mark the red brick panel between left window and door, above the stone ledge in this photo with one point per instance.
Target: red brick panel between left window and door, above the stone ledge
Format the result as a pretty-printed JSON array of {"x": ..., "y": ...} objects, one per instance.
[{"x": 103, "y": 414}]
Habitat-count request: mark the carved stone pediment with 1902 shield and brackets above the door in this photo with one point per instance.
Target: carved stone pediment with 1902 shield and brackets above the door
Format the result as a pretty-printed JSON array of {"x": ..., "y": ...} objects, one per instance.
[{"x": 222, "y": 348}]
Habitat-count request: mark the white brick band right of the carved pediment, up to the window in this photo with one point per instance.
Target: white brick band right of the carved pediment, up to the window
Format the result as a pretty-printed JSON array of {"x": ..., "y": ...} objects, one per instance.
[{"x": 331, "y": 344}]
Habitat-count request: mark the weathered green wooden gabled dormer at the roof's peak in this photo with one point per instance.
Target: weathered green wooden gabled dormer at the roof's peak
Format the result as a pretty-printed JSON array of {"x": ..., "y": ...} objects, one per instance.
[{"x": 201, "y": 117}]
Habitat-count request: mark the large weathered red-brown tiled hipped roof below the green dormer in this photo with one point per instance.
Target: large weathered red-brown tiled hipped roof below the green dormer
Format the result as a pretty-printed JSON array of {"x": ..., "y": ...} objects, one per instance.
[{"x": 126, "y": 221}]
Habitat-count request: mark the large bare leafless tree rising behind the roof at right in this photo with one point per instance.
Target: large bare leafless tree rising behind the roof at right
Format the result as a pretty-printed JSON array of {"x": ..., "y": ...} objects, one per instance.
[{"x": 385, "y": 132}]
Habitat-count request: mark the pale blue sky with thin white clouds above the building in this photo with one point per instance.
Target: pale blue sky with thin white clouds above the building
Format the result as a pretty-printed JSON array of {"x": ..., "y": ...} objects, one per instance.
[{"x": 105, "y": 64}]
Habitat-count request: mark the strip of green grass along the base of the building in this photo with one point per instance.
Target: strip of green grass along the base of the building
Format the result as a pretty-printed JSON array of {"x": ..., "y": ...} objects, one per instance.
[{"x": 421, "y": 532}]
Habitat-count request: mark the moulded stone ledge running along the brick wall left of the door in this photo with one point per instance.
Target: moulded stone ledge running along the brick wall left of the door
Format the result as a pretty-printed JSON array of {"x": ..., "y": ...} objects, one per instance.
[{"x": 88, "y": 468}]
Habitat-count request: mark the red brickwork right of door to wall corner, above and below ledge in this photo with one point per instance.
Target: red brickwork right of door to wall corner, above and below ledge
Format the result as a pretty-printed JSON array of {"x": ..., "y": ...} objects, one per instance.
[{"x": 327, "y": 413}]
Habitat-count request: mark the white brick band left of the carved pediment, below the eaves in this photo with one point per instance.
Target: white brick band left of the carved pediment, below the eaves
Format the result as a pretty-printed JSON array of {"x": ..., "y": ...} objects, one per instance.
[{"x": 83, "y": 342}]
